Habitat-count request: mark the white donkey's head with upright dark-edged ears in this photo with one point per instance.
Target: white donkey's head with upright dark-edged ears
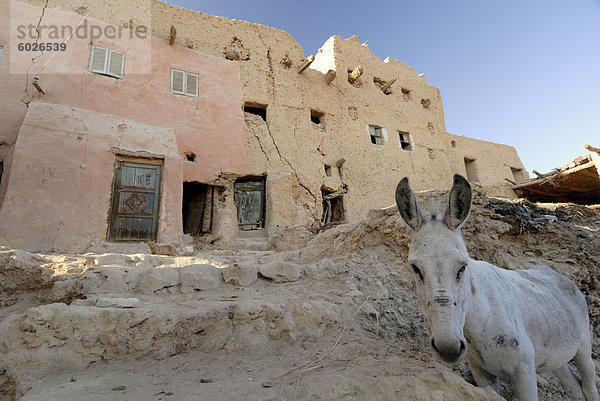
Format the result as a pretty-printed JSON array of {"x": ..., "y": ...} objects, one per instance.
[{"x": 439, "y": 261}]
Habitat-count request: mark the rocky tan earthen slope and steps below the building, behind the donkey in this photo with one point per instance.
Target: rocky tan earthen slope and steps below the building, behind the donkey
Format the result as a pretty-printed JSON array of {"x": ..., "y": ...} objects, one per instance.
[{"x": 335, "y": 319}]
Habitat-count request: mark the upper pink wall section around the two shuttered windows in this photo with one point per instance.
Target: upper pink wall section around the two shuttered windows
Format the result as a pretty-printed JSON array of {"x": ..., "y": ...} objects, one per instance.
[{"x": 211, "y": 125}]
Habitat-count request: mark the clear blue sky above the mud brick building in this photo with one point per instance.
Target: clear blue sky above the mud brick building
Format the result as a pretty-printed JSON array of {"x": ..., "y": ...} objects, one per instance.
[{"x": 519, "y": 72}]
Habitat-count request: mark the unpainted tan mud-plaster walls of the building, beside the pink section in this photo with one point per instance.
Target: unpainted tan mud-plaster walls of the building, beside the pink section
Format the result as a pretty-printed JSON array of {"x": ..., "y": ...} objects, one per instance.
[{"x": 293, "y": 152}]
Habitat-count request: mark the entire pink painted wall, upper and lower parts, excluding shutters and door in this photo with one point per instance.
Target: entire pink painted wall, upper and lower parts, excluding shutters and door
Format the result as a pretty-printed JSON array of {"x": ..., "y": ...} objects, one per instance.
[{"x": 47, "y": 201}]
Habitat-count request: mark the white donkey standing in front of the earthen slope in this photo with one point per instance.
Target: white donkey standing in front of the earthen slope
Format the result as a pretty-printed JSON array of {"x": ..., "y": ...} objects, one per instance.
[{"x": 510, "y": 324}]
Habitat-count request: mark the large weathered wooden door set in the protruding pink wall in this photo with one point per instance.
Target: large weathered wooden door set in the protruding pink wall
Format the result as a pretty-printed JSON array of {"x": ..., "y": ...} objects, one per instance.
[{"x": 136, "y": 194}]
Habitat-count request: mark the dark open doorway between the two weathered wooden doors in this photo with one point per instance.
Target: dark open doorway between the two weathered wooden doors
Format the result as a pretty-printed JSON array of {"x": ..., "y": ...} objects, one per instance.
[{"x": 197, "y": 208}]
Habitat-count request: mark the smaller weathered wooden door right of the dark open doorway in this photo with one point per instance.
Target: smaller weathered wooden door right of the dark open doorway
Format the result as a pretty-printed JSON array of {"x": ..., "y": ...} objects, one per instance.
[{"x": 250, "y": 201}]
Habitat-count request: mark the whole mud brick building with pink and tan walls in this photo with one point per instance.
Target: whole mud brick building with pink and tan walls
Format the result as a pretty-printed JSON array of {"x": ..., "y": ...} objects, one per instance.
[{"x": 209, "y": 125}]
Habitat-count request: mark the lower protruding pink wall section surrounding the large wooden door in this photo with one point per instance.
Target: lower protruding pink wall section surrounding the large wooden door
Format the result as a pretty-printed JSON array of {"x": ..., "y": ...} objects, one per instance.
[{"x": 60, "y": 186}]
